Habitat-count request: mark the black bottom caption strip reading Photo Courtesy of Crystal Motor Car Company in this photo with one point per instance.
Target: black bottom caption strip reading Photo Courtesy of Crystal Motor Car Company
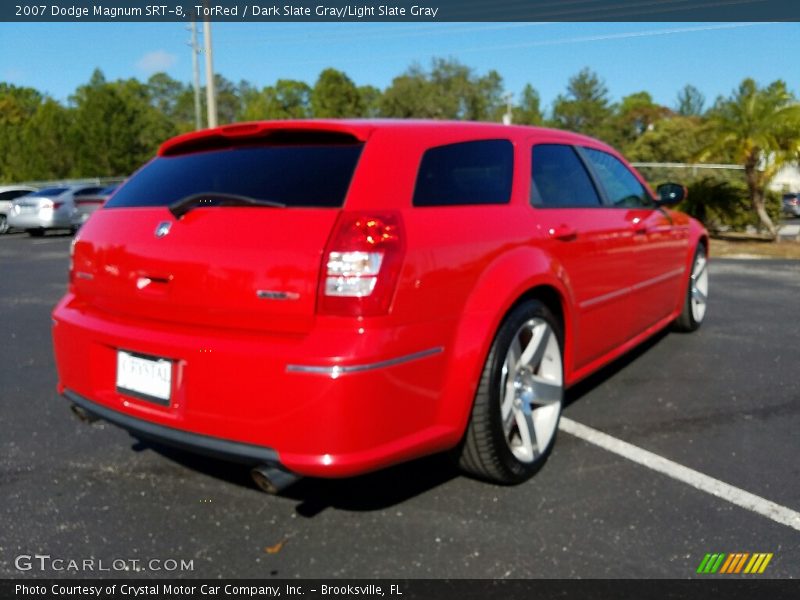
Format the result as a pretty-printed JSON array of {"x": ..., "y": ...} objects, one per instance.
[{"x": 707, "y": 588}]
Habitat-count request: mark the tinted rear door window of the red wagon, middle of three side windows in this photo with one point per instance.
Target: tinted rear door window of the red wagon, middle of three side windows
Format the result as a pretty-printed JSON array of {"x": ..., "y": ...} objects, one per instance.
[{"x": 559, "y": 179}]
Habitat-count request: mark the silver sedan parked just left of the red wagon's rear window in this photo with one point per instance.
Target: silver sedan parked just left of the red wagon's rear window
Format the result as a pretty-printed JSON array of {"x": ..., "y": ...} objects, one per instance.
[{"x": 49, "y": 208}]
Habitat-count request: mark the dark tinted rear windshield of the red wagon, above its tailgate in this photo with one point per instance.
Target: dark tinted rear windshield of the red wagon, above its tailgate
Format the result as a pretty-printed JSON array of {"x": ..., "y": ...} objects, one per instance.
[{"x": 294, "y": 175}]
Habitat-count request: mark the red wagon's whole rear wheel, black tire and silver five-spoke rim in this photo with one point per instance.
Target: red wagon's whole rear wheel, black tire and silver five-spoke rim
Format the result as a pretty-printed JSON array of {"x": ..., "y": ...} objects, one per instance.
[{"x": 516, "y": 411}]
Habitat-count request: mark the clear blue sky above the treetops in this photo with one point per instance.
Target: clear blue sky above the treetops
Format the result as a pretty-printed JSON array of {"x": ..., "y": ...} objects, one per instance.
[{"x": 656, "y": 57}]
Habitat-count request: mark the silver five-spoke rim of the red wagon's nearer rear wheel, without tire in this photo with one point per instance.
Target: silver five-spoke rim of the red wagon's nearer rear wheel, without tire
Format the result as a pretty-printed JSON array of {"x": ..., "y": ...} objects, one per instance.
[{"x": 531, "y": 390}]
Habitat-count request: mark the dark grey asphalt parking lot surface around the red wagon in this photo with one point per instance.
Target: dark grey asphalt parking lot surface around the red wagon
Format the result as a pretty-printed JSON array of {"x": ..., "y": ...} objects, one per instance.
[{"x": 724, "y": 401}]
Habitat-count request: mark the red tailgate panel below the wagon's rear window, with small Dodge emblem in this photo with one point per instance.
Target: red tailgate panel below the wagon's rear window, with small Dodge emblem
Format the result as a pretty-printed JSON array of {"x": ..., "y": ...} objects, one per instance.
[{"x": 232, "y": 267}]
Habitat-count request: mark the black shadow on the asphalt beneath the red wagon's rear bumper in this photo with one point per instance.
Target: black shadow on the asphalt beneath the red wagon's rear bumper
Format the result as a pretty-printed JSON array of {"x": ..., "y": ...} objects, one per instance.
[{"x": 374, "y": 491}]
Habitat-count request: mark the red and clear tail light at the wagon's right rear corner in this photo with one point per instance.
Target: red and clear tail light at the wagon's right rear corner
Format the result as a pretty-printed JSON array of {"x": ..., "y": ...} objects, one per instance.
[{"x": 361, "y": 264}]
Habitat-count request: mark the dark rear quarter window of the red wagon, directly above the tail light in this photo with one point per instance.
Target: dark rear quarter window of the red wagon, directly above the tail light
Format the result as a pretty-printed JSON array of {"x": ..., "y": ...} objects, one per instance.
[{"x": 477, "y": 172}]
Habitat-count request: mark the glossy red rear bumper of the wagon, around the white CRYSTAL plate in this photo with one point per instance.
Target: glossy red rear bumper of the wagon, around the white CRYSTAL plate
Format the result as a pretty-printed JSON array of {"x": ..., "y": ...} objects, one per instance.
[{"x": 335, "y": 402}]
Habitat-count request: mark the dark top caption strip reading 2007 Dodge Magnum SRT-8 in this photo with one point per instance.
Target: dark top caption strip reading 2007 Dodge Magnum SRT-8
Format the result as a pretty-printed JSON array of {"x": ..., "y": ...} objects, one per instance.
[{"x": 395, "y": 11}]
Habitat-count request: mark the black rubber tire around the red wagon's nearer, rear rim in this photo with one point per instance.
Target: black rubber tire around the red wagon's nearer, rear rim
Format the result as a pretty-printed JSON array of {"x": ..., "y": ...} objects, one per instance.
[{"x": 485, "y": 451}]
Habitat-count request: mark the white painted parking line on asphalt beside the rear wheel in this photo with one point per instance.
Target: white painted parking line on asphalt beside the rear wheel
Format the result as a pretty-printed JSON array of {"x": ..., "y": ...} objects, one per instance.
[{"x": 715, "y": 487}]
